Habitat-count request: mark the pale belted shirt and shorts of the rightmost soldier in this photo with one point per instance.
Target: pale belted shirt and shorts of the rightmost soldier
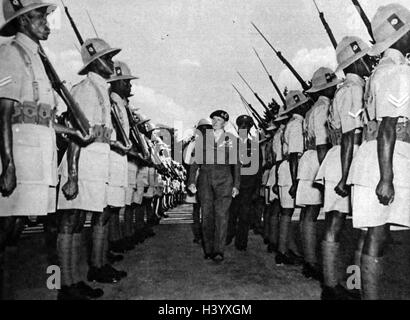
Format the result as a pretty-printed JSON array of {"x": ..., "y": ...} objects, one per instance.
[{"x": 387, "y": 95}]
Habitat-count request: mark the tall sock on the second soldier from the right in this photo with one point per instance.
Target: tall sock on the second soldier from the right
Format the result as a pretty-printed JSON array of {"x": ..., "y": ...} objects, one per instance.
[{"x": 330, "y": 253}]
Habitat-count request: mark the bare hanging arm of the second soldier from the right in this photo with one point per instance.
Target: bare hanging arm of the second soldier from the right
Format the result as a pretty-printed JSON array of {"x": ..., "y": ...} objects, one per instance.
[{"x": 346, "y": 155}]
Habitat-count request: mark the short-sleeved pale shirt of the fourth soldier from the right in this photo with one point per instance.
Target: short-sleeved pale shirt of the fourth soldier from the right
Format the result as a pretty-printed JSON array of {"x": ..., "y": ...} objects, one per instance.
[{"x": 293, "y": 141}]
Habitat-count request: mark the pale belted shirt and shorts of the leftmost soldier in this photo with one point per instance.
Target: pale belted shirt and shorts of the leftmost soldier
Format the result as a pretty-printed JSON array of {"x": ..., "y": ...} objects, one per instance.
[{"x": 23, "y": 79}]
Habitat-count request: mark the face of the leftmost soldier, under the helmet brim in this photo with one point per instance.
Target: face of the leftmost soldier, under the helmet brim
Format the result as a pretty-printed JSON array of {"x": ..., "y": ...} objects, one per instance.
[{"x": 36, "y": 24}]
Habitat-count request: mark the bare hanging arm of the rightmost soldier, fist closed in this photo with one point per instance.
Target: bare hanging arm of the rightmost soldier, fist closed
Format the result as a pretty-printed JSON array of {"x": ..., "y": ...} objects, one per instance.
[{"x": 386, "y": 142}]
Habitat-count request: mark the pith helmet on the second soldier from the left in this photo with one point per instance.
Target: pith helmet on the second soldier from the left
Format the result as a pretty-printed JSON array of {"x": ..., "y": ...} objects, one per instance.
[{"x": 95, "y": 48}]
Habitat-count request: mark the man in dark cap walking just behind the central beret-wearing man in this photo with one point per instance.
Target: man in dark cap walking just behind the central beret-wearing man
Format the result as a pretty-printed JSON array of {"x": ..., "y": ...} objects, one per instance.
[{"x": 240, "y": 211}]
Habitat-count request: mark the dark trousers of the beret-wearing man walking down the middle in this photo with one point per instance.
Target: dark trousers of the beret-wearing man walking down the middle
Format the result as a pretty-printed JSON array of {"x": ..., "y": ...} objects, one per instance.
[{"x": 215, "y": 186}]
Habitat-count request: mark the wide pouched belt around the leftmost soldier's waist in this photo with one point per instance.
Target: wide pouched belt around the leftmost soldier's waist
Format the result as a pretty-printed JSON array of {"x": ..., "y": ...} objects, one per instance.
[{"x": 31, "y": 112}]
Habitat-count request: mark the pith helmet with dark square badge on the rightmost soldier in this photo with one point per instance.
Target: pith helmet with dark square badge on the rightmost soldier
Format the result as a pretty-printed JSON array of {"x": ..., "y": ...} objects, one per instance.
[{"x": 390, "y": 23}]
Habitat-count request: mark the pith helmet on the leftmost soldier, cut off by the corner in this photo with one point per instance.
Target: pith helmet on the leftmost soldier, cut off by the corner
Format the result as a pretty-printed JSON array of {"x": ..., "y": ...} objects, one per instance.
[{"x": 15, "y": 8}]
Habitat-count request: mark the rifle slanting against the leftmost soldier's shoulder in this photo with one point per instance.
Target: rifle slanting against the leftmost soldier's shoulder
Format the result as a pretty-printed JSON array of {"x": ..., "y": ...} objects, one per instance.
[{"x": 77, "y": 116}]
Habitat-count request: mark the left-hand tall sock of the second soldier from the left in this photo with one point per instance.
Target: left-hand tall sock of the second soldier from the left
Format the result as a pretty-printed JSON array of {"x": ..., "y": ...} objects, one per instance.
[{"x": 64, "y": 251}]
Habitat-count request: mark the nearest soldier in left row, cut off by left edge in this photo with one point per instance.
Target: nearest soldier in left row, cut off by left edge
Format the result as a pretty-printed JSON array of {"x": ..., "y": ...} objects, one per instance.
[{"x": 27, "y": 108}]
